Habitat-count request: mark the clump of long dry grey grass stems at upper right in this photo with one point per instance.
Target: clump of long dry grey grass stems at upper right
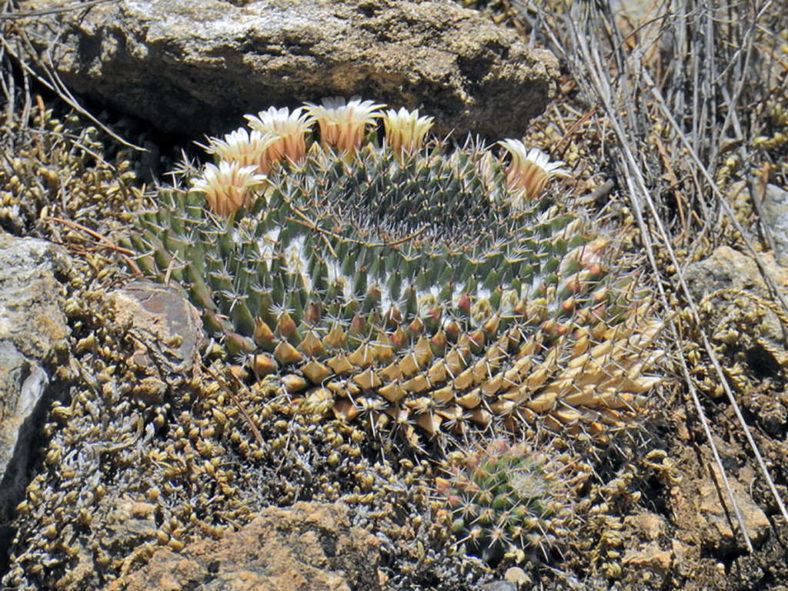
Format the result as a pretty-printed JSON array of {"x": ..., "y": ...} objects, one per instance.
[{"x": 695, "y": 113}]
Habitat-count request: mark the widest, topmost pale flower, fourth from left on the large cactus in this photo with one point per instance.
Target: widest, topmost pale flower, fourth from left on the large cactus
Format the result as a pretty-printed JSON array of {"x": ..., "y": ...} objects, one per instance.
[{"x": 343, "y": 124}]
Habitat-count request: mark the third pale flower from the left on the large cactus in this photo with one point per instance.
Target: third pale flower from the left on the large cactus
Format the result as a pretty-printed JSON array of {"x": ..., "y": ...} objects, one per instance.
[{"x": 289, "y": 129}]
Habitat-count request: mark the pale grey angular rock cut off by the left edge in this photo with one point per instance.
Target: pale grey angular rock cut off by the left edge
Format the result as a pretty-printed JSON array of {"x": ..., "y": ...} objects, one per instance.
[{"x": 32, "y": 327}]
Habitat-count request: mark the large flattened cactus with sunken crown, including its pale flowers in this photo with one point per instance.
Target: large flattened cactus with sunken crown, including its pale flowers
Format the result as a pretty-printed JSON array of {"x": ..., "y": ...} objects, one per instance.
[{"x": 403, "y": 280}]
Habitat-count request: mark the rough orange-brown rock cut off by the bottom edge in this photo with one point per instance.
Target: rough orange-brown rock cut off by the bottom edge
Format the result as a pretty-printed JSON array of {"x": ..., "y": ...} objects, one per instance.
[{"x": 309, "y": 546}]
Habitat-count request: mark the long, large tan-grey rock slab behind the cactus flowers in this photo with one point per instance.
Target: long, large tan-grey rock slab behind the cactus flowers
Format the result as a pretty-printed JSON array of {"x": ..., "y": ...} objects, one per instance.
[{"x": 194, "y": 67}]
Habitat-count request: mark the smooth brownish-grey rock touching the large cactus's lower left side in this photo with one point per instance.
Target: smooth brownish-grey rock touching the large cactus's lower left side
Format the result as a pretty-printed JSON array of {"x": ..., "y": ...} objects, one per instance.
[{"x": 167, "y": 331}]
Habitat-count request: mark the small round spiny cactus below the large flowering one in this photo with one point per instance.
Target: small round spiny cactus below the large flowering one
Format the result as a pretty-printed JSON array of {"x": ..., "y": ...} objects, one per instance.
[{"x": 506, "y": 501}]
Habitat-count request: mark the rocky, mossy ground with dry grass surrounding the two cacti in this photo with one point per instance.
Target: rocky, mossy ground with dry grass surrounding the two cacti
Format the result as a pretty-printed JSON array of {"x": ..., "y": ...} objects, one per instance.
[{"x": 133, "y": 457}]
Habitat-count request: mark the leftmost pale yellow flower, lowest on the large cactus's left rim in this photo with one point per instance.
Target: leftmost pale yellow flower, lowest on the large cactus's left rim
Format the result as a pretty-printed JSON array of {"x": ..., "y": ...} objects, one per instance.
[{"x": 227, "y": 187}]
